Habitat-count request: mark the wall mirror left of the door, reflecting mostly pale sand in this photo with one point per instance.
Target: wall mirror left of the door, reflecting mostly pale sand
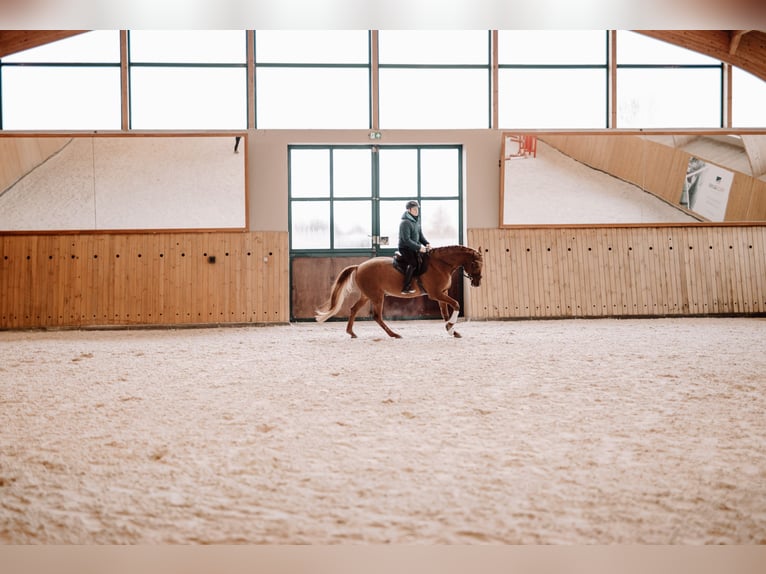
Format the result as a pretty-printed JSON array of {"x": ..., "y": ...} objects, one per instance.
[{"x": 135, "y": 182}]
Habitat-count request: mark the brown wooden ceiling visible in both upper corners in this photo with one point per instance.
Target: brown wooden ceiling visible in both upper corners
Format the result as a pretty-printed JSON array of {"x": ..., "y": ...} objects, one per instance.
[{"x": 744, "y": 49}]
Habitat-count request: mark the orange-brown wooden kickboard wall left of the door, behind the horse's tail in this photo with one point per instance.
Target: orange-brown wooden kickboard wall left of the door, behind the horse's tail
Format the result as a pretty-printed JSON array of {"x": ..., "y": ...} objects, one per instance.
[{"x": 143, "y": 279}]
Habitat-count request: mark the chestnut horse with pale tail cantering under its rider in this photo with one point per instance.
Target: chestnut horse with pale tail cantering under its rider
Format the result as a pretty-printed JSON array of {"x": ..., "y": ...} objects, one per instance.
[{"x": 377, "y": 277}]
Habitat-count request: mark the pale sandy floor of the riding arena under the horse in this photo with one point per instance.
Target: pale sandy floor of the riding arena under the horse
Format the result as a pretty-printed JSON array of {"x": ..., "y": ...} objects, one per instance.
[{"x": 576, "y": 431}]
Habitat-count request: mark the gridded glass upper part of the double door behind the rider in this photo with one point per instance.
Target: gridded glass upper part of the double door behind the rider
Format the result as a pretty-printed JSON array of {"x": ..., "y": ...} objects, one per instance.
[{"x": 352, "y": 197}]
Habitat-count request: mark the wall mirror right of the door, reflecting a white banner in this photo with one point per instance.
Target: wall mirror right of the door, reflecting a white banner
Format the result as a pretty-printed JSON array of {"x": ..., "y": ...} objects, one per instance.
[{"x": 632, "y": 178}]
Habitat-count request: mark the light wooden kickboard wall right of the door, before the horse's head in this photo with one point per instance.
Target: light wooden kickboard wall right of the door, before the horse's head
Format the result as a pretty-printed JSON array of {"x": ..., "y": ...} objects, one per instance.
[{"x": 619, "y": 272}]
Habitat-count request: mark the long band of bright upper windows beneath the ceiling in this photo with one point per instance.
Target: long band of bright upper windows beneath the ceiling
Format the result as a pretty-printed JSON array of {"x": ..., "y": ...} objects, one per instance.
[{"x": 322, "y": 79}]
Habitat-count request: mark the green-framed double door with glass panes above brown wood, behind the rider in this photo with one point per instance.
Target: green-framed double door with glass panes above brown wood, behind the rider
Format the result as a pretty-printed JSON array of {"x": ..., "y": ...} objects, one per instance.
[{"x": 345, "y": 204}]
